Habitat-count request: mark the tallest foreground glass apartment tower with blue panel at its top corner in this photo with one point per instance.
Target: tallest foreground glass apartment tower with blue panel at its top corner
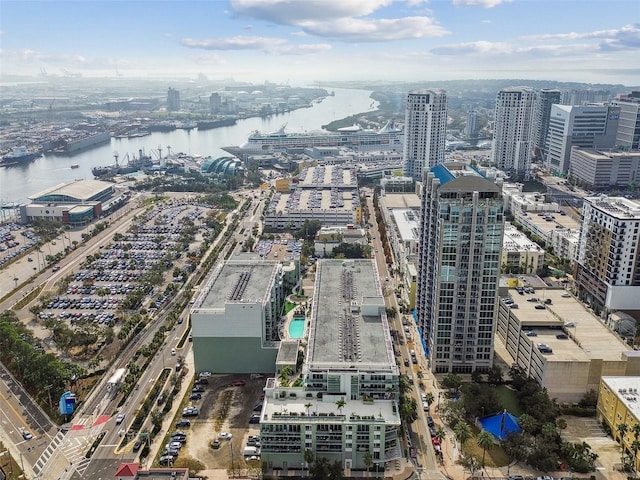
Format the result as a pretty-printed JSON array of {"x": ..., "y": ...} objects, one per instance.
[{"x": 459, "y": 263}]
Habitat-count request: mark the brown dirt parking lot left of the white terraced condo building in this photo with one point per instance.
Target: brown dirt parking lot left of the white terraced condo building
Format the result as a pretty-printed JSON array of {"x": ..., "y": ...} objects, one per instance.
[{"x": 223, "y": 409}]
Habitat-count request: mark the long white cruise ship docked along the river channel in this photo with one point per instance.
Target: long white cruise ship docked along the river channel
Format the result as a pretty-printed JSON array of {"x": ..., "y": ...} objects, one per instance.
[{"x": 388, "y": 138}]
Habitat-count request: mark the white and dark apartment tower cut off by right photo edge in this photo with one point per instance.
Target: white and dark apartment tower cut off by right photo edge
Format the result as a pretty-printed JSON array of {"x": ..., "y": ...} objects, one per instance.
[{"x": 608, "y": 267}]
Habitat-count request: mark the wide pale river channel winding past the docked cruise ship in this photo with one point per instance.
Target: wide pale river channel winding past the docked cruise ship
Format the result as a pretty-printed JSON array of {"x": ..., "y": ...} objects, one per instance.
[{"x": 17, "y": 182}]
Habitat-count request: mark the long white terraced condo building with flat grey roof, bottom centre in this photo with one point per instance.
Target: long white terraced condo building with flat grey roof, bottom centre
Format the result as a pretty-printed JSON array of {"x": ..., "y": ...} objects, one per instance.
[{"x": 346, "y": 405}]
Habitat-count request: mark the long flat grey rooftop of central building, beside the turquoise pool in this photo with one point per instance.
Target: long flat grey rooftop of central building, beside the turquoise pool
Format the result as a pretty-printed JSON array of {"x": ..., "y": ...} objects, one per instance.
[{"x": 348, "y": 324}]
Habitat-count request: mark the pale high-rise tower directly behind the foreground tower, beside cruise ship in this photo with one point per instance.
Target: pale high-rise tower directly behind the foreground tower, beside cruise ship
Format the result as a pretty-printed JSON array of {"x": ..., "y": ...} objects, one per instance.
[{"x": 425, "y": 130}]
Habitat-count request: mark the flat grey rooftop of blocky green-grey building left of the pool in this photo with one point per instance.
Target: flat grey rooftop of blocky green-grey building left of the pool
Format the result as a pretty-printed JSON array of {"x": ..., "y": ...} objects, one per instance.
[{"x": 239, "y": 281}]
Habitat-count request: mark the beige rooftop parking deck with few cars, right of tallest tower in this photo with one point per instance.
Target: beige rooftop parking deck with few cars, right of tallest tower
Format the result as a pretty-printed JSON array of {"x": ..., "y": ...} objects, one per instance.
[{"x": 588, "y": 338}]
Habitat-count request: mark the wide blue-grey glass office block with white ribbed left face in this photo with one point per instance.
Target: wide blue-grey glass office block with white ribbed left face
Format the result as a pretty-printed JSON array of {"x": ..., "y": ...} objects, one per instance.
[{"x": 584, "y": 126}]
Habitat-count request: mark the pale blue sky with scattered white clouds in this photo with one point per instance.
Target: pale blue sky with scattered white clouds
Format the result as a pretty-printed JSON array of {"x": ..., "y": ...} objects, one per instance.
[{"x": 300, "y": 41}]
